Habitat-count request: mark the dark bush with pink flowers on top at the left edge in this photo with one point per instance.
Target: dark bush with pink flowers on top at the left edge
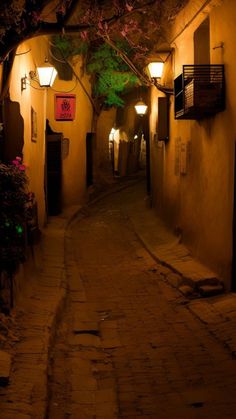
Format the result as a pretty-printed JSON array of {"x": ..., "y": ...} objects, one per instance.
[{"x": 13, "y": 199}]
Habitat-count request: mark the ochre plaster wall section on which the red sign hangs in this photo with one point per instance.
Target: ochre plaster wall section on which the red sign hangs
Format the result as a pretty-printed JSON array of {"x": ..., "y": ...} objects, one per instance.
[{"x": 74, "y": 165}]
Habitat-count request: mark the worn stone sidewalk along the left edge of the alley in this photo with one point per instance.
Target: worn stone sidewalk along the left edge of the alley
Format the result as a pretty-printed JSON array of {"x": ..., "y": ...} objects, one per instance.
[{"x": 26, "y": 395}]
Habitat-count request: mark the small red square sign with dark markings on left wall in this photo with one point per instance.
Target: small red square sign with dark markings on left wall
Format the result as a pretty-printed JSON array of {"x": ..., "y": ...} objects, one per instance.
[{"x": 64, "y": 107}]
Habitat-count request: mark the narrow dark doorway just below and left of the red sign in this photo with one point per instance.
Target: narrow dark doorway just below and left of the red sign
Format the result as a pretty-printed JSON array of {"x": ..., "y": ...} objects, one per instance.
[{"x": 53, "y": 173}]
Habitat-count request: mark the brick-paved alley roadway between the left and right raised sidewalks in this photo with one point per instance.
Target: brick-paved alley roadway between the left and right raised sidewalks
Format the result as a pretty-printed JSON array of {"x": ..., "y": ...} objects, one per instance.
[{"x": 128, "y": 346}]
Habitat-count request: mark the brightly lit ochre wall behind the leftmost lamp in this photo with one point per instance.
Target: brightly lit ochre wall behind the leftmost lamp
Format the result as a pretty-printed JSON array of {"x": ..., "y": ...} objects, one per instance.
[{"x": 28, "y": 56}]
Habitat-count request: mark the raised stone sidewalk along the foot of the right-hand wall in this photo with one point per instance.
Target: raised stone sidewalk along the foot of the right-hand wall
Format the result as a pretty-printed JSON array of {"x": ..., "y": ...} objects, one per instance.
[{"x": 193, "y": 277}]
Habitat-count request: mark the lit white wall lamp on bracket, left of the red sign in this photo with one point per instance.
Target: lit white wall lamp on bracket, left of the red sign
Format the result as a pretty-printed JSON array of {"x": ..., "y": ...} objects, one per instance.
[{"x": 44, "y": 76}]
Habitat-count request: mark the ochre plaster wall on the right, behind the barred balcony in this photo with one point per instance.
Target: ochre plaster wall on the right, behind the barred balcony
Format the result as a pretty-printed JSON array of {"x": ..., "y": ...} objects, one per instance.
[{"x": 200, "y": 202}]
